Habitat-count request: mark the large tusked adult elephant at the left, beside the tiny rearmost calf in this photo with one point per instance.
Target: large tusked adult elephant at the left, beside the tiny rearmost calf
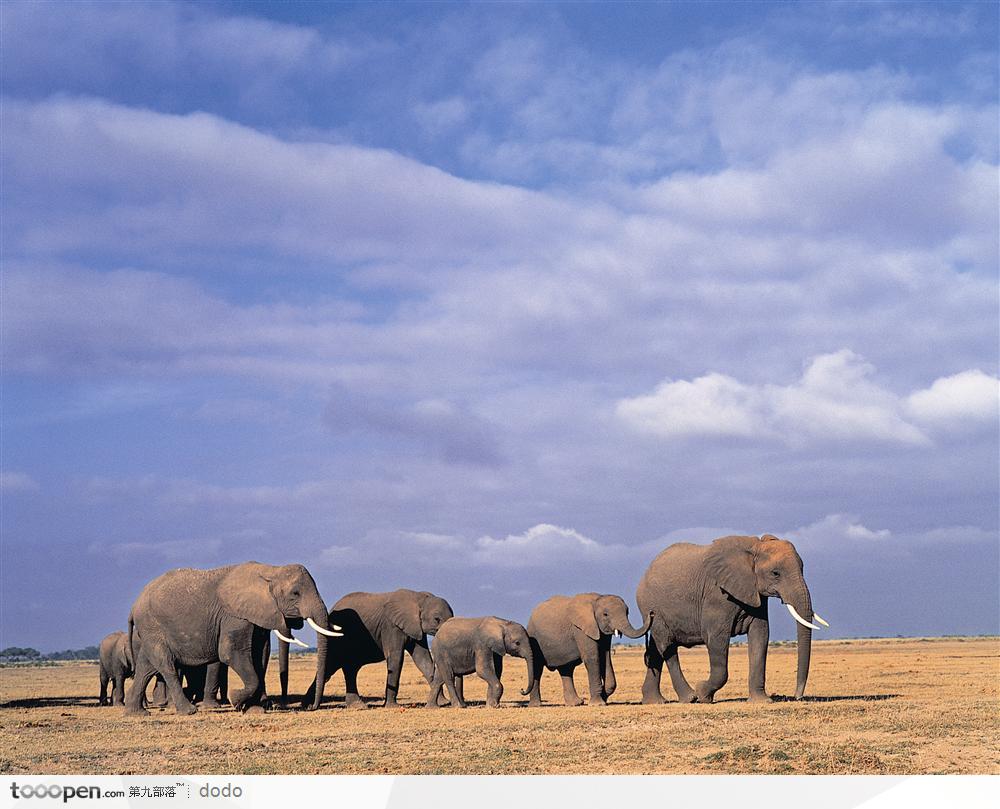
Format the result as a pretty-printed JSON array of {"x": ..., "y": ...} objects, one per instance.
[{"x": 189, "y": 617}]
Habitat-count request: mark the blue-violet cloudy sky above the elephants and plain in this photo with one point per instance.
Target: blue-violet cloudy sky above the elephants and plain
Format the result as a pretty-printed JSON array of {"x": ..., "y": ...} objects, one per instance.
[{"x": 499, "y": 300}]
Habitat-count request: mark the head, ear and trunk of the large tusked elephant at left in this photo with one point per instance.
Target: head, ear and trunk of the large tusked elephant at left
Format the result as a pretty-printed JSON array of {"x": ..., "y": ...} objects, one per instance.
[{"x": 278, "y": 598}]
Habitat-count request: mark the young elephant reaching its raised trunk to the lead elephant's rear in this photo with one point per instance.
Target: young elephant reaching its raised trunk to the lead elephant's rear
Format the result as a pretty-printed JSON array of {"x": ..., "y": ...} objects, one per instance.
[{"x": 568, "y": 630}]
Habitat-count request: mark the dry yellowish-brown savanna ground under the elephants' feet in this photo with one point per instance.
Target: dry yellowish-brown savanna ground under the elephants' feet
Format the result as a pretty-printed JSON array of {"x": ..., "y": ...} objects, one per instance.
[{"x": 875, "y": 706}]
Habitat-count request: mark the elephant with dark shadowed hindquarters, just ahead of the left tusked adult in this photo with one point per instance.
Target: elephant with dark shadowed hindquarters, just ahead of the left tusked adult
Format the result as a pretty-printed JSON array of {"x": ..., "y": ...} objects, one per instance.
[{"x": 377, "y": 627}]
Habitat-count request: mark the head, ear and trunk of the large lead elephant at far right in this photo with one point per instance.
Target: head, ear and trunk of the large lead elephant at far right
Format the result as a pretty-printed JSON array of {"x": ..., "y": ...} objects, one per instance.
[{"x": 749, "y": 569}]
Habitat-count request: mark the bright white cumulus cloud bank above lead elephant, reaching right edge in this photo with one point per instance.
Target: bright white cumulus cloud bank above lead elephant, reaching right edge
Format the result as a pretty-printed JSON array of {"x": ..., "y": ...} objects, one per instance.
[{"x": 835, "y": 400}]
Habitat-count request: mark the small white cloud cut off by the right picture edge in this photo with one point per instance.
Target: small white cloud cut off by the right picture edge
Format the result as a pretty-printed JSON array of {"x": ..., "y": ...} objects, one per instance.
[{"x": 968, "y": 399}]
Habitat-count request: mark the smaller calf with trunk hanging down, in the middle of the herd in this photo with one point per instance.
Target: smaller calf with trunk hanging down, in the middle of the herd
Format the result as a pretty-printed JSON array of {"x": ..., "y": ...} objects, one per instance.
[{"x": 466, "y": 645}]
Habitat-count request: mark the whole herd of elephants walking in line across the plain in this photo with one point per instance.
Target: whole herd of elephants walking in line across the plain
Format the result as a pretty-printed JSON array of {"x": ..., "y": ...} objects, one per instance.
[{"x": 189, "y": 627}]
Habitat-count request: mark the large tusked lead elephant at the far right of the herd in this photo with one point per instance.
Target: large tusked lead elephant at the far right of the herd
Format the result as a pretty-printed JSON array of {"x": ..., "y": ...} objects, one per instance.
[{"x": 705, "y": 594}]
